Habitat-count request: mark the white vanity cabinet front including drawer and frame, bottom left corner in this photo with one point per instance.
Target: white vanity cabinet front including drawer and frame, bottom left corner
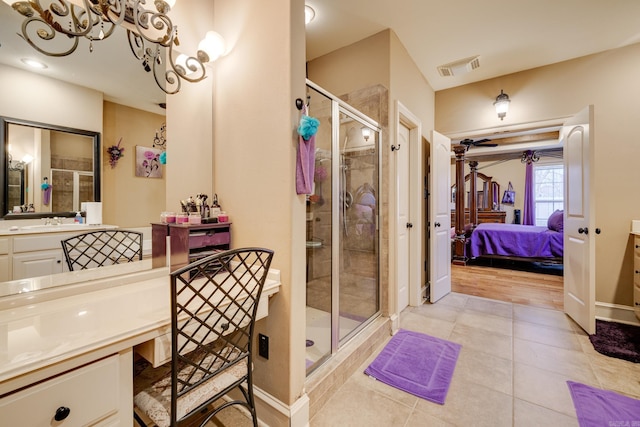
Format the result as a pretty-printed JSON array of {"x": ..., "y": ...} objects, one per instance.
[{"x": 91, "y": 395}]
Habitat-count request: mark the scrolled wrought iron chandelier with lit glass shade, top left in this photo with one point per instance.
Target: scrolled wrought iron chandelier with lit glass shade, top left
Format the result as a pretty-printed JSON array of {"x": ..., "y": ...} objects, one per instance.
[{"x": 151, "y": 34}]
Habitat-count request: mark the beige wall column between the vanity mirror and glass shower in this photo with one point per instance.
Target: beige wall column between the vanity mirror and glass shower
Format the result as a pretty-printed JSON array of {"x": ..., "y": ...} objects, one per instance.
[{"x": 255, "y": 119}]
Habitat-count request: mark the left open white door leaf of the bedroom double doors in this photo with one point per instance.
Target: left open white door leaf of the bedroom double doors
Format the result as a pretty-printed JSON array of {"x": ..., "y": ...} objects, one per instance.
[{"x": 440, "y": 217}]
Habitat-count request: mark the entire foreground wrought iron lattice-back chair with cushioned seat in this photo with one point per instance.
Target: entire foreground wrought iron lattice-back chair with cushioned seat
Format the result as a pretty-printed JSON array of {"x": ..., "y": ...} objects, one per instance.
[{"x": 214, "y": 302}]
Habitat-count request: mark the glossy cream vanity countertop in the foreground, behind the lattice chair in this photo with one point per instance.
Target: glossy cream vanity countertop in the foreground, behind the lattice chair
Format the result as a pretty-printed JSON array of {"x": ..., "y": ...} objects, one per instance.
[{"x": 122, "y": 311}]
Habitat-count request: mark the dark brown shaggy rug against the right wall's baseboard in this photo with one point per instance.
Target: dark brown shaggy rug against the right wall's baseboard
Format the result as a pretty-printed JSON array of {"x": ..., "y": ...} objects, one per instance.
[{"x": 617, "y": 340}]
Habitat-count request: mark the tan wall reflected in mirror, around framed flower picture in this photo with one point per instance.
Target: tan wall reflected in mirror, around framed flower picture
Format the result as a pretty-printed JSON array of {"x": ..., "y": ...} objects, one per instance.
[{"x": 129, "y": 200}]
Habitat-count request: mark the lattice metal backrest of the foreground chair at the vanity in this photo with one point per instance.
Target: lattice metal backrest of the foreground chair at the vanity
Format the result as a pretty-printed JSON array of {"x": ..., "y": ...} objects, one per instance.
[{"x": 214, "y": 307}]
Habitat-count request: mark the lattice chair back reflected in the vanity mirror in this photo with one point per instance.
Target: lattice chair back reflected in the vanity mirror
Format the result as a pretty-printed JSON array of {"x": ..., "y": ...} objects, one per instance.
[{"x": 100, "y": 248}]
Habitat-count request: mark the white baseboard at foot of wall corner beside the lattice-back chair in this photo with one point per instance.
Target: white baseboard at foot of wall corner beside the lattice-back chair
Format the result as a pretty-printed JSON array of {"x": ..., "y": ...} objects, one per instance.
[{"x": 273, "y": 412}]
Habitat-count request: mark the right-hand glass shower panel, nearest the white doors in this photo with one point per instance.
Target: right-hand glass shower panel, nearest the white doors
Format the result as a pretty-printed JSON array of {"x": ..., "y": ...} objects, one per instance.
[{"x": 358, "y": 296}]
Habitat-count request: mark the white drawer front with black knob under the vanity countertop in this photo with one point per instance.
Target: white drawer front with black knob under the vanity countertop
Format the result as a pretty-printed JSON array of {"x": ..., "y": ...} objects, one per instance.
[{"x": 90, "y": 392}]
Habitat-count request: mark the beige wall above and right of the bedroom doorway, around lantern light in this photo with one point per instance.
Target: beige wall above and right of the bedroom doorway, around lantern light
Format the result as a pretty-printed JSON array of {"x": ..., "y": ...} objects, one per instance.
[{"x": 608, "y": 81}]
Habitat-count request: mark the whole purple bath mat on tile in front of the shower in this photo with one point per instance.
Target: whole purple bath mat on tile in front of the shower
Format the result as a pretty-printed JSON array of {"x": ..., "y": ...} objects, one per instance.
[{"x": 418, "y": 364}]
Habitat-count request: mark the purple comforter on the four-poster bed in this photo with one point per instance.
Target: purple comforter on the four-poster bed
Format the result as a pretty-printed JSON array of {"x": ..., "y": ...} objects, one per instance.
[{"x": 527, "y": 241}]
